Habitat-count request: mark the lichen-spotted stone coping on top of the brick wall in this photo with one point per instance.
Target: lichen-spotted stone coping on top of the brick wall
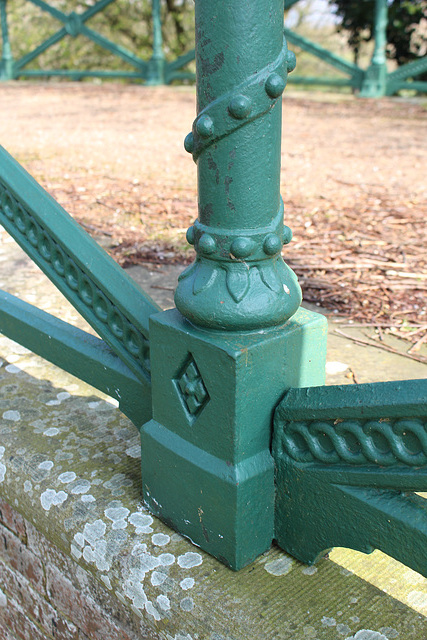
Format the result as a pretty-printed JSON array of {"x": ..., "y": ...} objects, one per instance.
[{"x": 70, "y": 463}]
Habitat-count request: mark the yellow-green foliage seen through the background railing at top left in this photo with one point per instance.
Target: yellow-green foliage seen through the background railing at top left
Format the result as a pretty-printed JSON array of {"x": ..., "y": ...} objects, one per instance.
[{"x": 127, "y": 23}]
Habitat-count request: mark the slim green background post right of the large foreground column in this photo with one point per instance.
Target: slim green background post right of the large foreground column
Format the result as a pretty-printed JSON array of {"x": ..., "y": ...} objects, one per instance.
[{"x": 375, "y": 81}]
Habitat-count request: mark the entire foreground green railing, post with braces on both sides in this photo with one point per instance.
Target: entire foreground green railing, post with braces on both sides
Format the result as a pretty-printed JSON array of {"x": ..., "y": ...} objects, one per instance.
[{"x": 241, "y": 442}]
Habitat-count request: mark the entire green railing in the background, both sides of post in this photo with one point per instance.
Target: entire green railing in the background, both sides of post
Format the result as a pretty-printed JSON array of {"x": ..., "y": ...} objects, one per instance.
[{"x": 373, "y": 82}]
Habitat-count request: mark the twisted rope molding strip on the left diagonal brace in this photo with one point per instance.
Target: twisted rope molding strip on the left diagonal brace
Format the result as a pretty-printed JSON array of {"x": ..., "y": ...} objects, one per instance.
[{"x": 65, "y": 272}]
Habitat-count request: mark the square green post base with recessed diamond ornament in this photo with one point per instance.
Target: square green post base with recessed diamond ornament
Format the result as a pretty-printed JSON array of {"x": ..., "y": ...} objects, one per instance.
[{"x": 207, "y": 469}]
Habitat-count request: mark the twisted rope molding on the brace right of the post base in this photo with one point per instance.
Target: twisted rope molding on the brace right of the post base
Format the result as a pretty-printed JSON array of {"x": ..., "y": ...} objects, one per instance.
[{"x": 380, "y": 442}]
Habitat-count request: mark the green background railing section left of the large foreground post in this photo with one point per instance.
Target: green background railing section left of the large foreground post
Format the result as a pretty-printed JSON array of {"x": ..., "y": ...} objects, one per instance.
[{"x": 155, "y": 71}]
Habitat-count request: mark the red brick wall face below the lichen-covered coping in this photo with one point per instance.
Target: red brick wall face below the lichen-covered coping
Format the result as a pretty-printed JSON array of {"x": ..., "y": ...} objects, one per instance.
[{"x": 45, "y": 596}]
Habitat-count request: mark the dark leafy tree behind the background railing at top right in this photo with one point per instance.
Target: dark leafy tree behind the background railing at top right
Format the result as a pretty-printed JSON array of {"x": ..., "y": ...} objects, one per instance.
[{"x": 406, "y": 18}]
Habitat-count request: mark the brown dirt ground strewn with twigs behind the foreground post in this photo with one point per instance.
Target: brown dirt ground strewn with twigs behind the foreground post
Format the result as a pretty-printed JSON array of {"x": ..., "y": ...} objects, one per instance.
[{"x": 353, "y": 182}]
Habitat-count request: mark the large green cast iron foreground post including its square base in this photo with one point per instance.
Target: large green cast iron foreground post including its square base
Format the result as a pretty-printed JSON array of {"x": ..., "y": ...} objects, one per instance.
[{"x": 223, "y": 358}]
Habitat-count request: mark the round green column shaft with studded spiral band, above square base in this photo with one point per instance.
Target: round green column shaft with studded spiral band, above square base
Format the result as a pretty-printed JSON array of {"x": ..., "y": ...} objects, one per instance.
[{"x": 239, "y": 279}]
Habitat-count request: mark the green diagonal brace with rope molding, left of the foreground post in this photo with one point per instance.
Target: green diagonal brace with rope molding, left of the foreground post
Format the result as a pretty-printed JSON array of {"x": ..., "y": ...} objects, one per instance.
[{"x": 95, "y": 285}]
